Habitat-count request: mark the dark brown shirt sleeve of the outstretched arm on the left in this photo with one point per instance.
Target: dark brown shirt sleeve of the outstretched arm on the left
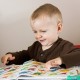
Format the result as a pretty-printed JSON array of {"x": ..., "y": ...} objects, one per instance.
[{"x": 24, "y": 55}]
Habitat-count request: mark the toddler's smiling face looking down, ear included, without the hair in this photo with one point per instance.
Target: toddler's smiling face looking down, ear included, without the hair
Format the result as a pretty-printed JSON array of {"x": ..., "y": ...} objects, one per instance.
[{"x": 46, "y": 30}]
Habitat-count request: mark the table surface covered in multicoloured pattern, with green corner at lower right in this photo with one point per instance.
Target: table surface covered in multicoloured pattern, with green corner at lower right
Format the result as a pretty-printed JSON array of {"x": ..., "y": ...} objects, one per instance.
[{"x": 33, "y": 70}]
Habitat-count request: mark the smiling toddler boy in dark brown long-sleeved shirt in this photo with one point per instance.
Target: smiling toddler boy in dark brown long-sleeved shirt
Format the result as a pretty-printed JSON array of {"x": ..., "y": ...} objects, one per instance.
[{"x": 46, "y": 23}]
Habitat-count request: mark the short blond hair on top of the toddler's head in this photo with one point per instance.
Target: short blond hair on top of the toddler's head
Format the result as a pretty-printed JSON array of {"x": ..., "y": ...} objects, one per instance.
[{"x": 47, "y": 9}]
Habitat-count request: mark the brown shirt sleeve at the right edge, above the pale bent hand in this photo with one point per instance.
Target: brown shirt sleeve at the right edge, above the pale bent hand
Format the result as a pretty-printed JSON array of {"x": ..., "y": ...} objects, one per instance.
[{"x": 71, "y": 57}]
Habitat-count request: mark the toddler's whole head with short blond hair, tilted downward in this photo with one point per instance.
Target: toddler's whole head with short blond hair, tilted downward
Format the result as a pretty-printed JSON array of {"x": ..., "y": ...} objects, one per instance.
[{"x": 46, "y": 22}]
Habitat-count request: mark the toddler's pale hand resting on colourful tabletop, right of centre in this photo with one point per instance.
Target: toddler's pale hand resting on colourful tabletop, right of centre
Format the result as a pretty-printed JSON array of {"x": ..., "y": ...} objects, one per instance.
[{"x": 53, "y": 63}]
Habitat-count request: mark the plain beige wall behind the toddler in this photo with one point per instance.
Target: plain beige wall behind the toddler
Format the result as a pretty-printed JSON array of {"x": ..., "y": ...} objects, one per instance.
[{"x": 15, "y": 30}]
